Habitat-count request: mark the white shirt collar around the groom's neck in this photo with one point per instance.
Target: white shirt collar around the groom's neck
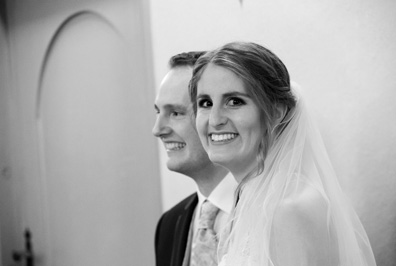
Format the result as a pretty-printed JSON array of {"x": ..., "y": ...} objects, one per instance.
[{"x": 223, "y": 194}]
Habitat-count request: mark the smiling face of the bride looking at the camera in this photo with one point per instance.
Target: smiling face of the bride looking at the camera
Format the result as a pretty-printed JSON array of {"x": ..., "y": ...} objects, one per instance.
[{"x": 228, "y": 120}]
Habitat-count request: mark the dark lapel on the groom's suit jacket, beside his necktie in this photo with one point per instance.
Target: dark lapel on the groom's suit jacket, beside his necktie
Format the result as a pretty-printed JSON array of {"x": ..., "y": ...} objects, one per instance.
[{"x": 182, "y": 230}]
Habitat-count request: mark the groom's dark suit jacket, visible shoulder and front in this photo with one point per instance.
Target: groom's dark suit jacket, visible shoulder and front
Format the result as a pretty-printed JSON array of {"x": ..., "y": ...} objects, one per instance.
[{"x": 172, "y": 232}]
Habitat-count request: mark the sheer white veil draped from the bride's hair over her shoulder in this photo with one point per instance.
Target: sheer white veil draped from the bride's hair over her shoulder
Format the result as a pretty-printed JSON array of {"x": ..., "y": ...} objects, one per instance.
[{"x": 294, "y": 212}]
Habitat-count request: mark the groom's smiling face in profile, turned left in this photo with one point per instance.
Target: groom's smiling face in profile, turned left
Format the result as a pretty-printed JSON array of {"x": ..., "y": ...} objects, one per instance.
[{"x": 175, "y": 124}]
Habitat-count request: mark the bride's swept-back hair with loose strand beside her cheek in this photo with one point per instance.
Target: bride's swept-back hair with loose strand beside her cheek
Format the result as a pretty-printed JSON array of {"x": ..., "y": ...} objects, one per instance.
[{"x": 266, "y": 80}]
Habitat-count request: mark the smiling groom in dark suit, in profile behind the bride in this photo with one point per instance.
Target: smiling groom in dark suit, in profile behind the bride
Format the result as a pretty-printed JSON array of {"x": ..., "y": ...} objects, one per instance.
[{"x": 175, "y": 126}]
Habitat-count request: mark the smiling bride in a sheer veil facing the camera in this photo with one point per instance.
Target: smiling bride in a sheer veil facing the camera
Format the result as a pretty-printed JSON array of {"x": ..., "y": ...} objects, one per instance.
[{"x": 290, "y": 209}]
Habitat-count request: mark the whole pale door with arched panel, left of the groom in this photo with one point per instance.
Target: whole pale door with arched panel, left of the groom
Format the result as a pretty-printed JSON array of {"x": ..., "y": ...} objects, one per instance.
[{"x": 84, "y": 160}]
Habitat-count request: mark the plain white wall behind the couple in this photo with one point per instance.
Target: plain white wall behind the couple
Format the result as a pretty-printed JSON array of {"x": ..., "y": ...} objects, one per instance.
[{"x": 341, "y": 53}]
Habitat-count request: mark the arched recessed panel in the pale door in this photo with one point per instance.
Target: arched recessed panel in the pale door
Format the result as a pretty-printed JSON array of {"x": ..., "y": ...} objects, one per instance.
[{"x": 86, "y": 120}]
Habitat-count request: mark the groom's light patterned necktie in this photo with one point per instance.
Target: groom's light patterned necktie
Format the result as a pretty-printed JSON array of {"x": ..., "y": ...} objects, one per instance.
[{"x": 204, "y": 247}]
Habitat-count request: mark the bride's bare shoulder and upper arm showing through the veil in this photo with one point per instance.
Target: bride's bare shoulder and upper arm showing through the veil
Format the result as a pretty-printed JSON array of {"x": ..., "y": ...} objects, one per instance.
[{"x": 301, "y": 229}]
